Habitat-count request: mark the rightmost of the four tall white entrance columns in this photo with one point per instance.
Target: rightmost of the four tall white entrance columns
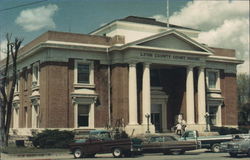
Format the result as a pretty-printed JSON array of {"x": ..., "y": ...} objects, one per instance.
[{"x": 201, "y": 96}]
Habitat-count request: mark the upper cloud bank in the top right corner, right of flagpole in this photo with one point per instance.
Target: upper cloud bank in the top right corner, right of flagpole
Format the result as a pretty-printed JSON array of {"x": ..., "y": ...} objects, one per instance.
[{"x": 210, "y": 14}]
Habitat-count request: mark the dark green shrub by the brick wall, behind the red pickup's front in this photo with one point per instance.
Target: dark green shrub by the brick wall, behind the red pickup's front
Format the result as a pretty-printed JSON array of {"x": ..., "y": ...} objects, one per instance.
[{"x": 53, "y": 139}]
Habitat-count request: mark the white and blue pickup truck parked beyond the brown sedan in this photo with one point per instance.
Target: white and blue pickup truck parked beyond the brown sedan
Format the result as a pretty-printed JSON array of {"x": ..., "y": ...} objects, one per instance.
[{"x": 208, "y": 142}]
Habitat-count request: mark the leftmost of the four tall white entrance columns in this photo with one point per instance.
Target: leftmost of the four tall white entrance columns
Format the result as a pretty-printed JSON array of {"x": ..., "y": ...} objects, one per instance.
[{"x": 132, "y": 95}]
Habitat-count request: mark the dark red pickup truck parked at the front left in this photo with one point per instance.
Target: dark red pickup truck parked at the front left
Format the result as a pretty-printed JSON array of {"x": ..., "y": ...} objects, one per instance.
[{"x": 102, "y": 142}]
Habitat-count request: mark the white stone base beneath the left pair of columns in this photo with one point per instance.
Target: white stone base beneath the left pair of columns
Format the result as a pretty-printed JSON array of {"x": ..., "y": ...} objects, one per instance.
[{"x": 133, "y": 130}]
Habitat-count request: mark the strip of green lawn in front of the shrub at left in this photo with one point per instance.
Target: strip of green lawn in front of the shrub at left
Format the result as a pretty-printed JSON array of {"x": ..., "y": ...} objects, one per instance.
[{"x": 12, "y": 149}]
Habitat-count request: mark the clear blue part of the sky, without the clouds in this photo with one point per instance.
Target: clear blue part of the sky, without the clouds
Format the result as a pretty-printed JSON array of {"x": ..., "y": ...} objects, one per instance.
[{"x": 80, "y": 16}]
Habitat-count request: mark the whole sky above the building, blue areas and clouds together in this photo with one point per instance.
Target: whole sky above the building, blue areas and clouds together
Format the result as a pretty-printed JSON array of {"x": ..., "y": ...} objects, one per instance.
[{"x": 223, "y": 23}]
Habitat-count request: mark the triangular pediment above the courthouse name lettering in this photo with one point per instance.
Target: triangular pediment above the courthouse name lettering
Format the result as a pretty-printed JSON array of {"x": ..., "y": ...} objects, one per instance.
[{"x": 173, "y": 40}]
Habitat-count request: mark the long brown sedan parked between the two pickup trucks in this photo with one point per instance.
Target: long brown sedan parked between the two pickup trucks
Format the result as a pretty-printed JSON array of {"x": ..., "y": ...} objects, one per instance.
[{"x": 168, "y": 144}]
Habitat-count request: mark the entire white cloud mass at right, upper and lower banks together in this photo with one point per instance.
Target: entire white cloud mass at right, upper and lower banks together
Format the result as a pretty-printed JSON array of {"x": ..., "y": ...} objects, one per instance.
[{"x": 224, "y": 24}]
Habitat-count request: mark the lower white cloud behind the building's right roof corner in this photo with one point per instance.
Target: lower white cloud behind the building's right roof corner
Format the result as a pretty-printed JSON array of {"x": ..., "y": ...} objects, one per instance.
[{"x": 233, "y": 34}]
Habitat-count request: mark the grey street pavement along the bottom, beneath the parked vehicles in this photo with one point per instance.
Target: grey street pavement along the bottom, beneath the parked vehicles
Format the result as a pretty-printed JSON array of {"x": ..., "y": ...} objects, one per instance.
[{"x": 190, "y": 155}]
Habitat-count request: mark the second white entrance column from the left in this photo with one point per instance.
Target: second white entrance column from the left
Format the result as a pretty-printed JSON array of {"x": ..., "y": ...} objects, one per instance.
[{"x": 146, "y": 99}]
